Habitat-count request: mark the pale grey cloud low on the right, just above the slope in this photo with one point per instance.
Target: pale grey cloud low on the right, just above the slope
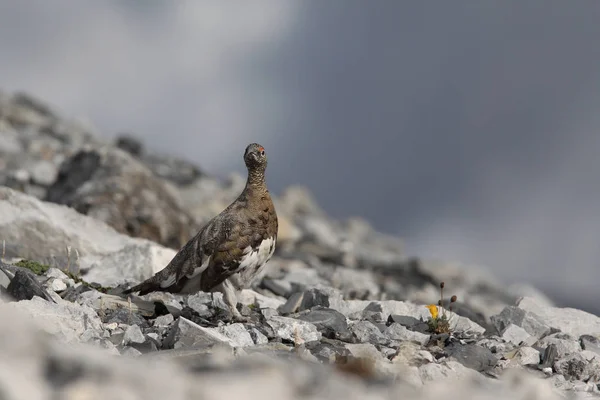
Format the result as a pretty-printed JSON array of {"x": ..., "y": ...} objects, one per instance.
[{"x": 543, "y": 231}]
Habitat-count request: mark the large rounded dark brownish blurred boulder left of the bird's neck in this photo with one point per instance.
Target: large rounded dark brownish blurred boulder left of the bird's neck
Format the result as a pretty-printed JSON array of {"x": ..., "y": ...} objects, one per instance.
[{"x": 111, "y": 185}]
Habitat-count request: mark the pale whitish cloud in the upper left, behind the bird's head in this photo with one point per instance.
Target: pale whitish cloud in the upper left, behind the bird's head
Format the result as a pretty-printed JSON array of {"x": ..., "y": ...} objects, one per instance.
[{"x": 182, "y": 76}]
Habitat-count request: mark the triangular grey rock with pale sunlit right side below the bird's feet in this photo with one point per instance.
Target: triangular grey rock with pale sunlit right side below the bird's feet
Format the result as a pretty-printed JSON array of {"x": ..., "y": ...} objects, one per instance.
[{"x": 184, "y": 333}]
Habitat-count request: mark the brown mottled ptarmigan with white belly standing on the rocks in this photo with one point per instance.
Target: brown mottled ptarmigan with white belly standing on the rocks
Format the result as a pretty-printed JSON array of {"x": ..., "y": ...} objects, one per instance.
[{"x": 231, "y": 250}]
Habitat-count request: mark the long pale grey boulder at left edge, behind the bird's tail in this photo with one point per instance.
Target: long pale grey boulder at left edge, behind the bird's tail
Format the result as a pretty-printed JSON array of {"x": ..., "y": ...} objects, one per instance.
[{"x": 42, "y": 231}]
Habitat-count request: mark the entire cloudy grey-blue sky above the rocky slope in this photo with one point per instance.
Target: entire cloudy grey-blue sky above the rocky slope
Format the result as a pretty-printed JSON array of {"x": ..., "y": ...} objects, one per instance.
[{"x": 468, "y": 128}]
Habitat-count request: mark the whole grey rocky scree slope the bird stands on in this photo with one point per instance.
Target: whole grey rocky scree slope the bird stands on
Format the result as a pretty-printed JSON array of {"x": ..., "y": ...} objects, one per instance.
[{"x": 340, "y": 313}]
